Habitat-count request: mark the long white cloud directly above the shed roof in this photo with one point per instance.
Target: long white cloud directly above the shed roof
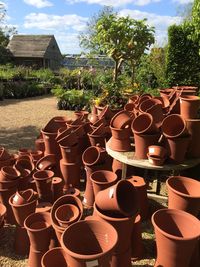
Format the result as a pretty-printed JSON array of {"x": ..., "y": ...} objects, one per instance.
[{"x": 44, "y": 21}]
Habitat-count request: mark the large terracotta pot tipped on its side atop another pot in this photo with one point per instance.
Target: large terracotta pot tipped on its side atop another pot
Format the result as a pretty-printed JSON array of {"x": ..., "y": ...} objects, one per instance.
[{"x": 120, "y": 198}]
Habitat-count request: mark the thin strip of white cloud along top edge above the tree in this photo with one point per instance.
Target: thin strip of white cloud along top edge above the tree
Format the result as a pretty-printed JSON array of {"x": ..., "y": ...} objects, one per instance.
[{"x": 114, "y": 3}]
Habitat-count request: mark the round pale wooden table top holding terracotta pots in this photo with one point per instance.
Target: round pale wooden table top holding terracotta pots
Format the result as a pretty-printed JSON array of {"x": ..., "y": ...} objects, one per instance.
[{"x": 128, "y": 158}]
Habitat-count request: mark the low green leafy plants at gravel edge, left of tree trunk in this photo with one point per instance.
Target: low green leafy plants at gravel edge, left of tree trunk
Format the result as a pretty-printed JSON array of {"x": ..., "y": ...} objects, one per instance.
[{"x": 72, "y": 99}]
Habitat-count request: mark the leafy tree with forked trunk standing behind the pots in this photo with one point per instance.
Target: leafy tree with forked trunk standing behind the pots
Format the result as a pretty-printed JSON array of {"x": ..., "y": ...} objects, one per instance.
[{"x": 122, "y": 38}]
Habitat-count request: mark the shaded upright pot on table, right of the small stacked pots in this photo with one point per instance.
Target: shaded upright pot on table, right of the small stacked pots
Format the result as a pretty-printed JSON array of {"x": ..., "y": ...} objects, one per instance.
[{"x": 177, "y": 148}]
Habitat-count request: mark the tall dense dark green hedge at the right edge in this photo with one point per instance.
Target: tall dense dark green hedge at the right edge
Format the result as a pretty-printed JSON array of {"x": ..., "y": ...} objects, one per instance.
[{"x": 183, "y": 59}]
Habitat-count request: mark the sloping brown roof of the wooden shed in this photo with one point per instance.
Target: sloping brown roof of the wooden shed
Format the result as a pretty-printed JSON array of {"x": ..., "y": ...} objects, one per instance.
[{"x": 29, "y": 45}]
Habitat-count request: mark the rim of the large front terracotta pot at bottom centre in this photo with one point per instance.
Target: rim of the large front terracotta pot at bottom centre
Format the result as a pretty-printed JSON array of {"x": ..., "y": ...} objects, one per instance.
[{"x": 93, "y": 256}]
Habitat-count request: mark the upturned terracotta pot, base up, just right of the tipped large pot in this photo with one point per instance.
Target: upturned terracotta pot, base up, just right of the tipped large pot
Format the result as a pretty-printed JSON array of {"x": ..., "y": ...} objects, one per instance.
[{"x": 141, "y": 186}]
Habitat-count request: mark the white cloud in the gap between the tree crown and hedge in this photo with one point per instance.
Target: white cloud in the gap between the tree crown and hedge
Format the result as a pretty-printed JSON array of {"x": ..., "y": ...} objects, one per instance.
[{"x": 161, "y": 23}]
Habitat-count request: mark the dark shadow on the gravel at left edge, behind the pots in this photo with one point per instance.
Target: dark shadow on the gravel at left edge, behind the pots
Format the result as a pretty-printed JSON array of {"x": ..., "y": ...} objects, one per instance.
[{"x": 23, "y": 137}]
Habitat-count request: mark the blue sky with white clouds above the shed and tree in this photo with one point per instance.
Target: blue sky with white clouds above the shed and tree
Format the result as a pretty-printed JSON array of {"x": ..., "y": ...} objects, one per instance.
[{"x": 67, "y": 18}]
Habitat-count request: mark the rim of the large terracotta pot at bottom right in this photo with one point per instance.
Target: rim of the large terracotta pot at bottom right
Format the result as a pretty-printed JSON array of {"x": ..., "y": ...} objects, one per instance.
[{"x": 177, "y": 212}]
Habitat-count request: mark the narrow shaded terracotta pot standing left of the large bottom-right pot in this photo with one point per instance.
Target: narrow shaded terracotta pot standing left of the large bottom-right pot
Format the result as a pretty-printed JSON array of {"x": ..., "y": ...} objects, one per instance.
[{"x": 136, "y": 240}]
